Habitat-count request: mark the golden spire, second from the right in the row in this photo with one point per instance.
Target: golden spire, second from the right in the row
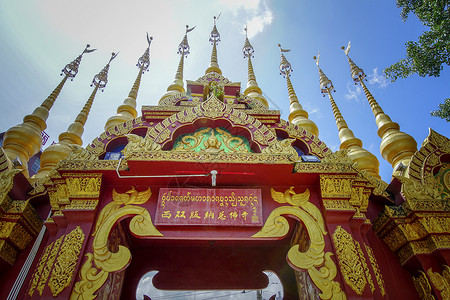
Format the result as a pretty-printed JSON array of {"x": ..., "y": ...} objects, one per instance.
[{"x": 365, "y": 160}]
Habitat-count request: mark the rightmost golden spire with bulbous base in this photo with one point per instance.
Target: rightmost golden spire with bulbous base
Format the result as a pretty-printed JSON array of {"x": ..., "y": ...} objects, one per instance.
[{"x": 396, "y": 146}]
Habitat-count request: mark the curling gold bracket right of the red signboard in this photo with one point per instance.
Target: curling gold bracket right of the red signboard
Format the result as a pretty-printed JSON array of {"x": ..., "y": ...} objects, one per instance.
[{"x": 319, "y": 265}]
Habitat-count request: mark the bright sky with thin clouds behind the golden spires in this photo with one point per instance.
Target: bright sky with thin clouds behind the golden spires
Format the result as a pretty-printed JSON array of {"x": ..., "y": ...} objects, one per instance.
[{"x": 37, "y": 39}]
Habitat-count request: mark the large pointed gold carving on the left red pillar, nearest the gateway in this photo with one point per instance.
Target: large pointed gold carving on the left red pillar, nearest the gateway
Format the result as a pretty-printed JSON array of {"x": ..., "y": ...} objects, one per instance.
[{"x": 66, "y": 262}]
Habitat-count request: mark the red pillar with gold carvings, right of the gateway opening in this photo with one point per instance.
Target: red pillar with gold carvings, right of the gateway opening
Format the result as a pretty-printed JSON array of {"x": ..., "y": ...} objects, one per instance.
[{"x": 345, "y": 200}]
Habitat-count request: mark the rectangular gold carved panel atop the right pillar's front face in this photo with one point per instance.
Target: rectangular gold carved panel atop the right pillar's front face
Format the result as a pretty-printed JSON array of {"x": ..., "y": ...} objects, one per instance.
[{"x": 336, "y": 186}]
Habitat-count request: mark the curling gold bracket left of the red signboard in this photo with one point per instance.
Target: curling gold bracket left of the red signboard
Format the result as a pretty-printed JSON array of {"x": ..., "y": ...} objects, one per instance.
[{"x": 101, "y": 262}]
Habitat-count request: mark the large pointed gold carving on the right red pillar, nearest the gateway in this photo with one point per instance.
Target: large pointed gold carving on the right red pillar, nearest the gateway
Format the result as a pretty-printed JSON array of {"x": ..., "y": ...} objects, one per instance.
[{"x": 351, "y": 266}]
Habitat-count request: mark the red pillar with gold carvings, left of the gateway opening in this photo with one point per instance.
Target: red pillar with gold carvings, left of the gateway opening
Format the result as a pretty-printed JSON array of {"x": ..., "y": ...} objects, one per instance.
[{"x": 73, "y": 198}]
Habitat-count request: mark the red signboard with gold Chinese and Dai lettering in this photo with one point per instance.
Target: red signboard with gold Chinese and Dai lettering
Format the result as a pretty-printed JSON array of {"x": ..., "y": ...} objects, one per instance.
[{"x": 214, "y": 207}]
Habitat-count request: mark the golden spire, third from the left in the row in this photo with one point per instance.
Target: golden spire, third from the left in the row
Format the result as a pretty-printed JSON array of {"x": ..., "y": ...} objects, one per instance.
[{"x": 127, "y": 111}]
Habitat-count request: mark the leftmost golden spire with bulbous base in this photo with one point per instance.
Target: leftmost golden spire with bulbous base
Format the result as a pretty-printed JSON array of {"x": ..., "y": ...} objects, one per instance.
[{"x": 24, "y": 140}]
